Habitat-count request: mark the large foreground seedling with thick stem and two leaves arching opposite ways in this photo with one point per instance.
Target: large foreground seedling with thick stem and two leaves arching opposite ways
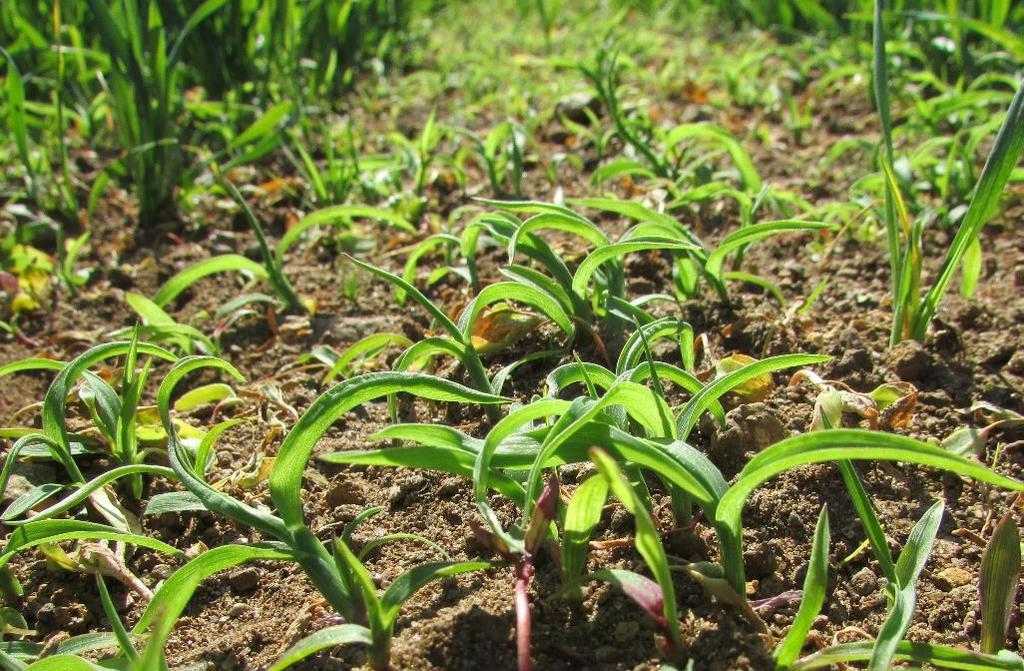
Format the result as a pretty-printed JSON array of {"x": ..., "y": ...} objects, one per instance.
[{"x": 328, "y": 573}]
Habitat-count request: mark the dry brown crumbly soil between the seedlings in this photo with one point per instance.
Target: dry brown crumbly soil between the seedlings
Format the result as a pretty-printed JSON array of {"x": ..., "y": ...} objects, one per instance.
[{"x": 246, "y": 621}]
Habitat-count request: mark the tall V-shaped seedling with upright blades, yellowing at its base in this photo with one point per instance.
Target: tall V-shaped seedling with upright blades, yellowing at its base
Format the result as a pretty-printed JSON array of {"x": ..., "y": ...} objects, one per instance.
[{"x": 913, "y": 313}]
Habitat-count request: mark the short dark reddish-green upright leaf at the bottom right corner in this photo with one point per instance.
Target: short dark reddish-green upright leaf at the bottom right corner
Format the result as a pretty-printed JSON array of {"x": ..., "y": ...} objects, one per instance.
[{"x": 1001, "y": 568}]
